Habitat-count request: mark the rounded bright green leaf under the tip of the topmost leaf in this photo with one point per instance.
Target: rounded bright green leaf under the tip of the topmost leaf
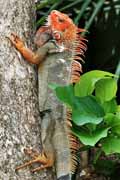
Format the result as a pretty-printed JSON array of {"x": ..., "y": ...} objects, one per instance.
[{"x": 105, "y": 89}]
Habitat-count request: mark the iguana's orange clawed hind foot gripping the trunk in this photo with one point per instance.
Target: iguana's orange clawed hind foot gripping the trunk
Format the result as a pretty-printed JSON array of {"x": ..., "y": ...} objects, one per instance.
[{"x": 37, "y": 158}]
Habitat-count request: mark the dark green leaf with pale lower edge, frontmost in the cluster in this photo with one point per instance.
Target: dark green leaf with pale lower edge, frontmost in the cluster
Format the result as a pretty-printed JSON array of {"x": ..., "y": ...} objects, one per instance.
[{"x": 86, "y": 110}]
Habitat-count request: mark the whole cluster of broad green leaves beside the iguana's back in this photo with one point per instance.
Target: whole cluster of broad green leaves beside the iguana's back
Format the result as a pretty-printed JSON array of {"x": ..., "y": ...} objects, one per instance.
[{"x": 95, "y": 112}]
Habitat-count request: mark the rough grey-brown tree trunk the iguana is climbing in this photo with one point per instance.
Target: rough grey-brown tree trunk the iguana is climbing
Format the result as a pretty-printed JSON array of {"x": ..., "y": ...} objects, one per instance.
[{"x": 19, "y": 112}]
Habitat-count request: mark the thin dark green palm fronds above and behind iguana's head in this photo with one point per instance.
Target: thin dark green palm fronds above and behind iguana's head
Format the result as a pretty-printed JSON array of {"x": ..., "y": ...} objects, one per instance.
[{"x": 82, "y": 9}]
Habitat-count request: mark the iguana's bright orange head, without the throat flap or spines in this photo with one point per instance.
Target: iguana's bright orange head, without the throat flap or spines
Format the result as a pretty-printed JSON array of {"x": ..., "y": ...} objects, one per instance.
[{"x": 62, "y": 26}]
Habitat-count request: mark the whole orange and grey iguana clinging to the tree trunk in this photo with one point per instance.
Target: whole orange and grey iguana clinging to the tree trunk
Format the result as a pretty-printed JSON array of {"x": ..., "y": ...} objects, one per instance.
[{"x": 59, "y": 145}]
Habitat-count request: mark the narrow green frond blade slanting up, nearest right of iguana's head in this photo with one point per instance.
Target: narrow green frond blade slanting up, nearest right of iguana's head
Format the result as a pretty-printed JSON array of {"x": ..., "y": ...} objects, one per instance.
[{"x": 82, "y": 10}]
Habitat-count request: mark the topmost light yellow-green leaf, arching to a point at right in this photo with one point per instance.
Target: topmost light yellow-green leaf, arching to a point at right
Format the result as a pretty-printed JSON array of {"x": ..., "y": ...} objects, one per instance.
[{"x": 88, "y": 80}]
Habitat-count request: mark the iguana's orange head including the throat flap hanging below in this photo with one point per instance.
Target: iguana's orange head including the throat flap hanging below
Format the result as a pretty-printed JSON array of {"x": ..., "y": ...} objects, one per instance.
[{"x": 59, "y": 27}]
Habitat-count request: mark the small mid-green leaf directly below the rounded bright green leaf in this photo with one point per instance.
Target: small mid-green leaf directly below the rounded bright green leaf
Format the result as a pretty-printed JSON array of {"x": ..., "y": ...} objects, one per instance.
[{"x": 110, "y": 106}]
